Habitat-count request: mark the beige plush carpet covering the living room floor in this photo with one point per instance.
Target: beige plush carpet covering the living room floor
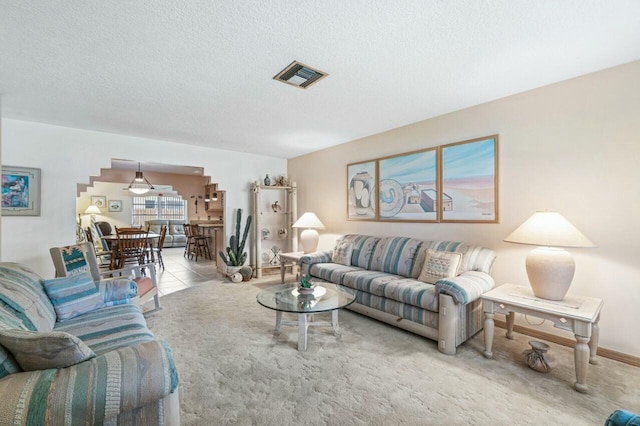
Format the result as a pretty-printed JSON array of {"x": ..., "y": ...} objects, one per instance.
[{"x": 233, "y": 370}]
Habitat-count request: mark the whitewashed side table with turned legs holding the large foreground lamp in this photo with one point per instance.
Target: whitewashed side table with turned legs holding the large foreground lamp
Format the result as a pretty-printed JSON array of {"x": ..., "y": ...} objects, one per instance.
[{"x": 577, "y": 314}]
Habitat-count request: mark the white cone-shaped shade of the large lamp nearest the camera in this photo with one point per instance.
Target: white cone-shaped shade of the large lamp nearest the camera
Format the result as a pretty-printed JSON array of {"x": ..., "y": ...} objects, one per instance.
[{"x": 548, "y": 229}]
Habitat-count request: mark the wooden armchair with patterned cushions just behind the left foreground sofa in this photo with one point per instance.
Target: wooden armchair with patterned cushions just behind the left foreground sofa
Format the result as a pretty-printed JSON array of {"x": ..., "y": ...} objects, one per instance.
[{"x": 70, "y": 260}]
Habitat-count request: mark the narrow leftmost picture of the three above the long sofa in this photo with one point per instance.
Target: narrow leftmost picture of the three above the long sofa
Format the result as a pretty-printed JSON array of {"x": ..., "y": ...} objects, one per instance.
[{"x": 361, "y": 192}]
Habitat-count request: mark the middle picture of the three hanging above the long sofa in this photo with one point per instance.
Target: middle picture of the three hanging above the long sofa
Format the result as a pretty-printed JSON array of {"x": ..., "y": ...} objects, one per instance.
[{"x": 408, "y": 187}]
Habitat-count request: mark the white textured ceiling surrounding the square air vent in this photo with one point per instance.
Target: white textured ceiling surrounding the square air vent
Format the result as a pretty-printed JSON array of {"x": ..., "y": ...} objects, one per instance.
[{"x": 200, "y": 71}]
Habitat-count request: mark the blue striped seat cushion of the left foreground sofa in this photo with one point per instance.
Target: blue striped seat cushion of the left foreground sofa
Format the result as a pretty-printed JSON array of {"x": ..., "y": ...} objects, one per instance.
[{"x": 106, "y": 329}]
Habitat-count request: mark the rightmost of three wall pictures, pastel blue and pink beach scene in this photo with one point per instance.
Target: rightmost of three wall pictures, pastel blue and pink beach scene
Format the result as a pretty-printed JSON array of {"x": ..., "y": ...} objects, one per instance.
[{"x": 469, "y": 188}]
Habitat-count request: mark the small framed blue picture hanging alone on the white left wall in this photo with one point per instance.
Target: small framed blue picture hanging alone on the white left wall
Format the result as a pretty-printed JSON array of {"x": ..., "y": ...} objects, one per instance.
[{"x": 20, "y": 191}]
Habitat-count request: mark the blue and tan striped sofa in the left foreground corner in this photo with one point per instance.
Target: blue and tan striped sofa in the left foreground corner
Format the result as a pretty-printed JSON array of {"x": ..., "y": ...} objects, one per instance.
[{"x": 127, "y": 377}]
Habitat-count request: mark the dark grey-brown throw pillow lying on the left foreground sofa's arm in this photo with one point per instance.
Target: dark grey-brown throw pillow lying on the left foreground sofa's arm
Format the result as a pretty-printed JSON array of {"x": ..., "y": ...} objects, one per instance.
[{"x": 35, "y": 350}]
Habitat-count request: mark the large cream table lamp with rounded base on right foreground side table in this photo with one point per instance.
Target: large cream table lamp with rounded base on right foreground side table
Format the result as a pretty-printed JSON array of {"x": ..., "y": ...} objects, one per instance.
[{"x": 550, "y": 268}]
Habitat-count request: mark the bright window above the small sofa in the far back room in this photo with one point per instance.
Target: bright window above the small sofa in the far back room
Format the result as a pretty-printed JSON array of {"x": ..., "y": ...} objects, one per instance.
[{"x": 149, "y": 207}]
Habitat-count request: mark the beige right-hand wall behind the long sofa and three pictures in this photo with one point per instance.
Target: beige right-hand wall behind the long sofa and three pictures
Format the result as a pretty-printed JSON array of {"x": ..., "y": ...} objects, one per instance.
[{"x": 573, "y": 147}]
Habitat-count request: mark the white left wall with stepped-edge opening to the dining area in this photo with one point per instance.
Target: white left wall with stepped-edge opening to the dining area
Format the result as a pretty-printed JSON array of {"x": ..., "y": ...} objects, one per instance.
[{"x": 69, "y": 156}]
